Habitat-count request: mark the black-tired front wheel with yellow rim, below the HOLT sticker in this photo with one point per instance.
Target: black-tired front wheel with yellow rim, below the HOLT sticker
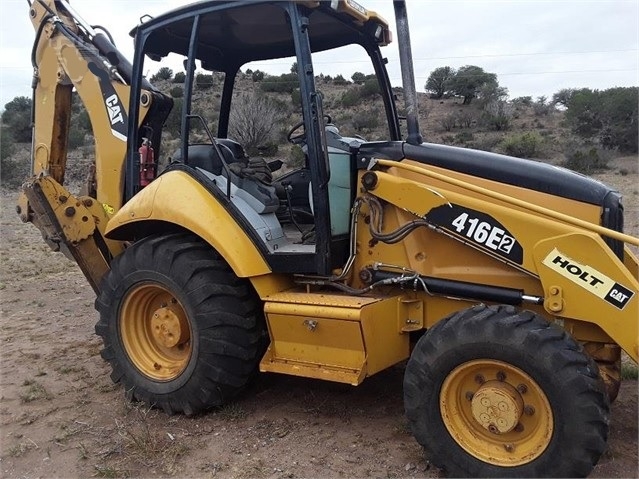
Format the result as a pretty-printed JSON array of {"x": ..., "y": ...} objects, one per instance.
[{"x": 497, "y": 392}]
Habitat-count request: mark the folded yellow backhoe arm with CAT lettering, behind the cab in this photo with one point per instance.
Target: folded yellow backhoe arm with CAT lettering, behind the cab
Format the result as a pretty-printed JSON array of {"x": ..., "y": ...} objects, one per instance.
[{"x": 68, "y": 54}]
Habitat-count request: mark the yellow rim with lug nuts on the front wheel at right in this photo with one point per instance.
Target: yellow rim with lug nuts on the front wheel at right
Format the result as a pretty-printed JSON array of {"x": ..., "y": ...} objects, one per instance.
[{"x": 496, "y": 412}]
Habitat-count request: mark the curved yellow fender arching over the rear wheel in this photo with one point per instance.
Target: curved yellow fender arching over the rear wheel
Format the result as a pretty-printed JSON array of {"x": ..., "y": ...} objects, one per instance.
[{"x": 179, "y": 199}]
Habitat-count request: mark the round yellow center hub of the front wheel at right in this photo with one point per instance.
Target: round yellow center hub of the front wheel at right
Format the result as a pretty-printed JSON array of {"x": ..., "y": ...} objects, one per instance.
[{"x": 497, "y": 406}]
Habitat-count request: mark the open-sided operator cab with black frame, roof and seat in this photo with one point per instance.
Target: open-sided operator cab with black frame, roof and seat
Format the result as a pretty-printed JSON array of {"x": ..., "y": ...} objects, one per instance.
[{"x": 214, "y": 41}]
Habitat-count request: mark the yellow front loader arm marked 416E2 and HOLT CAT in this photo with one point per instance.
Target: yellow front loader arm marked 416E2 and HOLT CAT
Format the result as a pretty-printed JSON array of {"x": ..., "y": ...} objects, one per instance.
[{"x": 580, "y": 276}]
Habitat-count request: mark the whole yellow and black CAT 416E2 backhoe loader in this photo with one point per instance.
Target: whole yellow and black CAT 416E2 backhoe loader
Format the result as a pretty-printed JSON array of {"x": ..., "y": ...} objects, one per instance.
[{"x": 506, "y": 284}]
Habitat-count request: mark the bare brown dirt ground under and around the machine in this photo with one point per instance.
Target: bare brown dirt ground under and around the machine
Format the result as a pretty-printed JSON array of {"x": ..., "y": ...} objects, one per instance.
[{"x": 61, "y": 416}]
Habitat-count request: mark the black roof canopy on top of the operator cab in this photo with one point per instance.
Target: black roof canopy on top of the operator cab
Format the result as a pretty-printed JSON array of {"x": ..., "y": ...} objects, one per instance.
[{"x": 232, "y": 33}]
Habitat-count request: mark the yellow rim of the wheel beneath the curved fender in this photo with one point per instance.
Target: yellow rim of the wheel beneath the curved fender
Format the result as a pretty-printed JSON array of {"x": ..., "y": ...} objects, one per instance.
[{"x": 155, "y": 332}]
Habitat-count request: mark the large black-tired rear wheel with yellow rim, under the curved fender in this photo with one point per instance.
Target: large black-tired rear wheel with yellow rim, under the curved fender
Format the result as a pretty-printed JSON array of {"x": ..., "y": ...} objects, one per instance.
[{"x": 180, "y": 330}]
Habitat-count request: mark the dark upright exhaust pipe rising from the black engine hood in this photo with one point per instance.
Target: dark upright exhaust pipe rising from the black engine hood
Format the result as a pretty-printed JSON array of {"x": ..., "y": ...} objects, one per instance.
[{"x": 408, "y": 73}]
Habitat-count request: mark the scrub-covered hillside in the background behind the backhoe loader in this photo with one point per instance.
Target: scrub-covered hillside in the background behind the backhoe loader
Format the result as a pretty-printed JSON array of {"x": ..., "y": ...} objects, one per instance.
[{"x": 523, "y": 127}]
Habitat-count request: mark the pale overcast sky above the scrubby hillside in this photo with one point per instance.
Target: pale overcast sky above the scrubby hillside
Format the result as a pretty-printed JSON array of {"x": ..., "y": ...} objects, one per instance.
[{"x": 535, "y": 47}]
